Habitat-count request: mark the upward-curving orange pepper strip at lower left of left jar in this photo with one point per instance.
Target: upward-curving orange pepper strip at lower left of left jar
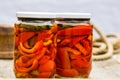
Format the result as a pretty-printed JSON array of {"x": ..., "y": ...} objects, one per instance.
[{"x": 24, "y": 70}]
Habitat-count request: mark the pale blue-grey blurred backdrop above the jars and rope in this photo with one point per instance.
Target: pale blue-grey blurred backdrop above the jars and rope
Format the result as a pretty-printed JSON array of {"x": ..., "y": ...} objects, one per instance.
[{"x": 105, "y": 13}]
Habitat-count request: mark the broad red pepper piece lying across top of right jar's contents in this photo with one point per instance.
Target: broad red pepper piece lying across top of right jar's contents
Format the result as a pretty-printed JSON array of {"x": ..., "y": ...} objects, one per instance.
[{"x": 80, "y": 30}]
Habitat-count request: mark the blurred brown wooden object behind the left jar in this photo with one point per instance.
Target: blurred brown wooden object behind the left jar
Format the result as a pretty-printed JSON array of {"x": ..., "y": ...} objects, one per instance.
[{"x": 6, "y": 40}]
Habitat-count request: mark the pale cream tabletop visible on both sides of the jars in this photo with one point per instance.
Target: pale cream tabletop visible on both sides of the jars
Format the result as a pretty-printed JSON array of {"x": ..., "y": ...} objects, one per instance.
[{"x": 107, "y": 69}]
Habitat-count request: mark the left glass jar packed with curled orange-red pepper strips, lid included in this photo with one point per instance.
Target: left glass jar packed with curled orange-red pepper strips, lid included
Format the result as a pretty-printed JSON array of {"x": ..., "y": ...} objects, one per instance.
[{"x": 34, "y": 51}]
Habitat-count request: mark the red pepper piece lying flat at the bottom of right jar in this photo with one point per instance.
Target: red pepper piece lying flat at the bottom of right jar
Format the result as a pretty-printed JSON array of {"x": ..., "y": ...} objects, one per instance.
[{"x": 67, "y": 72}]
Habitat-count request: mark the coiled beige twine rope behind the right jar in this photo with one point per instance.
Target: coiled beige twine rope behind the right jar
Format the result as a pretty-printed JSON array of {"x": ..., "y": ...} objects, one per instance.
[{"x": 102, "y": 47}]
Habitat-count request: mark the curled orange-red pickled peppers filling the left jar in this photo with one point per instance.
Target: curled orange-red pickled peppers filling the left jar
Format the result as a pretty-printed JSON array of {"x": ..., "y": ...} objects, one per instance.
[{"x": 33, "y": 57}]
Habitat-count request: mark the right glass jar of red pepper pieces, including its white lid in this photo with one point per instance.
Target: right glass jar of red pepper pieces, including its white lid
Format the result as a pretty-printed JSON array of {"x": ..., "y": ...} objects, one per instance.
[{"x": 74, "y": 45}]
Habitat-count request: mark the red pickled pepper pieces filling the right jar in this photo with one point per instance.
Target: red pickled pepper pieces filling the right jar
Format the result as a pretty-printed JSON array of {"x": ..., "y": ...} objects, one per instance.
[{"x": 73, "y": 48}]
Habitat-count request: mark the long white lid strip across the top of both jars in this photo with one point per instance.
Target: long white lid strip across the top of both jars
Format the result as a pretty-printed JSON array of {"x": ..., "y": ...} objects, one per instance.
[{"x": 53, "y": 15}]
